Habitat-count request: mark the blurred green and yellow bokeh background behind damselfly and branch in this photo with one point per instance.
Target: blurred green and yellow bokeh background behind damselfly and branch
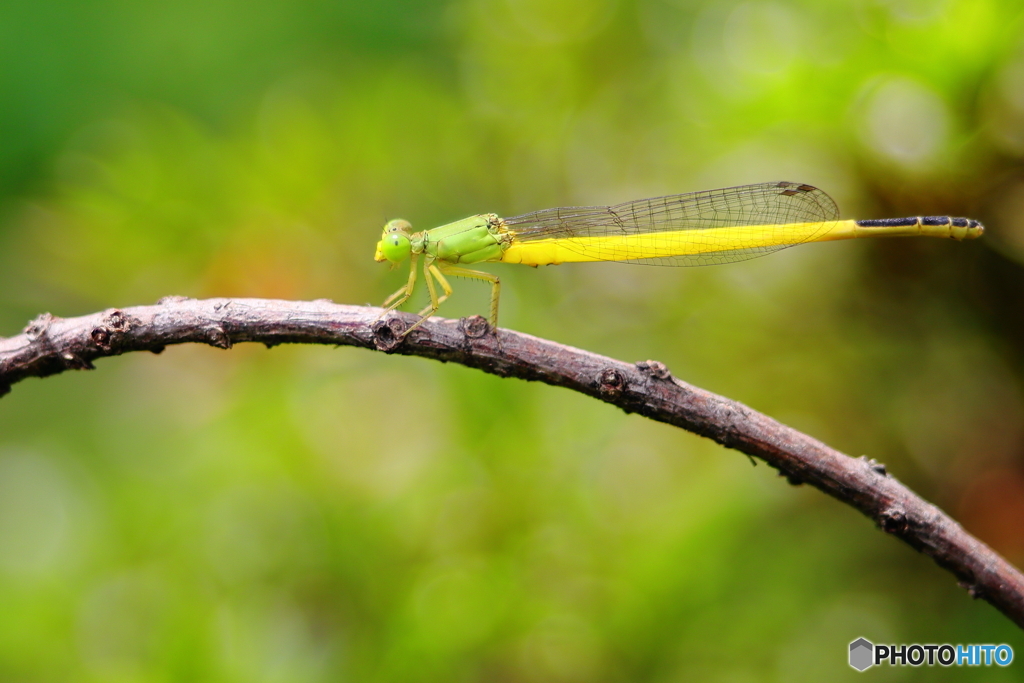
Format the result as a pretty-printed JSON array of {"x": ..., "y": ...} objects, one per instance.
[{"x": 320, "y": 515}]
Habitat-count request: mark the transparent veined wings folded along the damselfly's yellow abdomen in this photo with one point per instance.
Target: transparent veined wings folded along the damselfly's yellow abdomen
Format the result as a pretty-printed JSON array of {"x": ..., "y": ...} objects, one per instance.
[{"x": 774, "y": 216}]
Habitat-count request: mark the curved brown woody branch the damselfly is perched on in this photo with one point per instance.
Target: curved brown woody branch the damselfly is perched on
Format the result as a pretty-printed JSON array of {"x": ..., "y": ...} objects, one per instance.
[{"x": 52, "y": 346}]
